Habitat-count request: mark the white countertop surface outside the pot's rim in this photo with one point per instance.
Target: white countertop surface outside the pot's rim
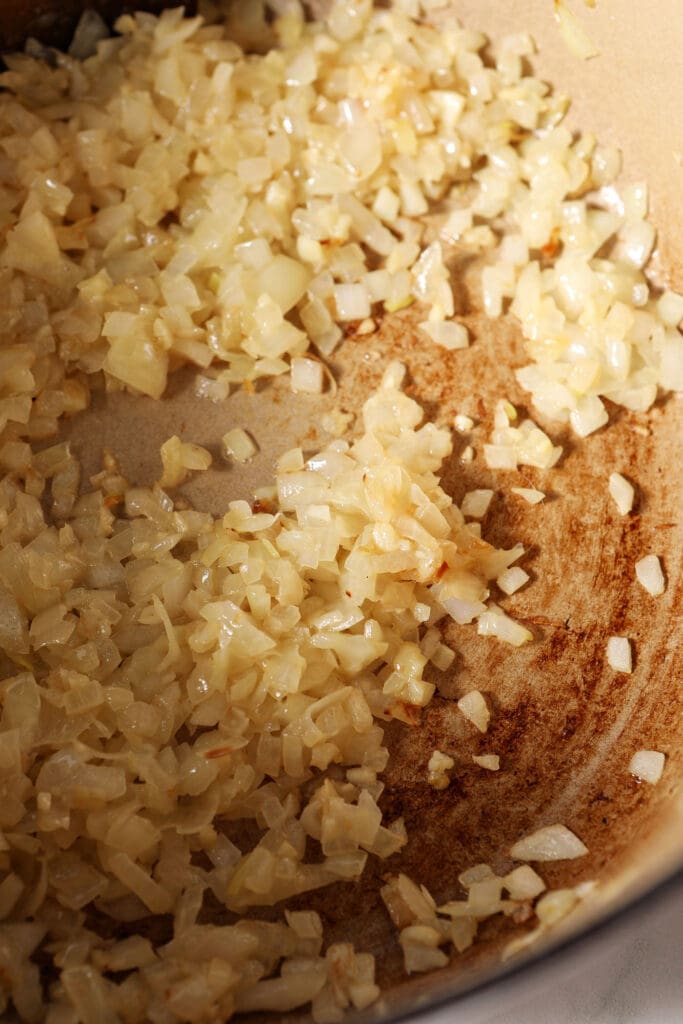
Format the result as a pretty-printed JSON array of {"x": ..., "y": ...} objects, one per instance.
[{"x": 630, "y": 974}]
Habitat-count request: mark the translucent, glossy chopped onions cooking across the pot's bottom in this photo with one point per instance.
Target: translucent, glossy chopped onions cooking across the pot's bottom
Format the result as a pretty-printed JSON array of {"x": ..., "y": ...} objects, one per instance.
[{"x": 194, "y": 205}]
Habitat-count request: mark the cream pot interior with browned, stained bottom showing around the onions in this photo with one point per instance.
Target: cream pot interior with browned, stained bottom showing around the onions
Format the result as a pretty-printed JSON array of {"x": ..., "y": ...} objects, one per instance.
[{"x": 565, "y": 724}]
